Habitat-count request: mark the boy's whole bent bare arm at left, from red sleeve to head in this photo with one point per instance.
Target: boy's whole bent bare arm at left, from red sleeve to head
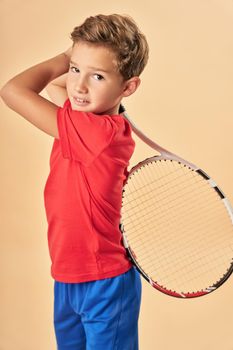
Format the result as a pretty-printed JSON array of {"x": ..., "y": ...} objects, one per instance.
[{"x": 21, "y": 93}]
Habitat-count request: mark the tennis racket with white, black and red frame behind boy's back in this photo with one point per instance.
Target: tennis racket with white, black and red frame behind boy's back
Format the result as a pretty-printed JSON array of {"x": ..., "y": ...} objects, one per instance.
[{"x": 177, "y": 224}]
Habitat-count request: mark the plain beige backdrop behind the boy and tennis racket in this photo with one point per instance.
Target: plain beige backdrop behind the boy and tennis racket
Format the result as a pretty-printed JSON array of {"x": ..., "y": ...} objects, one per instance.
[{"x": 185, "y": 103}]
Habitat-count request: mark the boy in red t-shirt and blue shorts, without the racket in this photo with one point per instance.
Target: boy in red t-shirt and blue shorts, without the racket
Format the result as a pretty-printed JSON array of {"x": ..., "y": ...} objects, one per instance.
[{"x": 97, "y": 291}]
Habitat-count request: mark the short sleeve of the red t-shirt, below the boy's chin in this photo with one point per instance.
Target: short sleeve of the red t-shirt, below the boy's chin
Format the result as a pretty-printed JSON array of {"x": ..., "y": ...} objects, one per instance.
[{"x": 83, "y": 136}]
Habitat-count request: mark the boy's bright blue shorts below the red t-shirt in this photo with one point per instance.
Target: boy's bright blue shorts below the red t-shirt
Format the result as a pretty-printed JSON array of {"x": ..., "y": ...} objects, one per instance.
[{"x": 98, "y": 315}]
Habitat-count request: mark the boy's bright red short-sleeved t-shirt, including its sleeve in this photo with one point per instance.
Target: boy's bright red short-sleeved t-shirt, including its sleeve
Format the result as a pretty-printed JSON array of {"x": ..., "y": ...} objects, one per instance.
[{"x": 82, "y": 195}]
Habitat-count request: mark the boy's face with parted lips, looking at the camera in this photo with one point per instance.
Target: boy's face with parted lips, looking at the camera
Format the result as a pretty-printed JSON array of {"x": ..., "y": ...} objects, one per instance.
[{"x": 93, "y": 82}]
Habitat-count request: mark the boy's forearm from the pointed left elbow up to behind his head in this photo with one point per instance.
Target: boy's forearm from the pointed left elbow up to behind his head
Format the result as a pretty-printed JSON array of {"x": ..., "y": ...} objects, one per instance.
[{"x": 37, "y": 77}]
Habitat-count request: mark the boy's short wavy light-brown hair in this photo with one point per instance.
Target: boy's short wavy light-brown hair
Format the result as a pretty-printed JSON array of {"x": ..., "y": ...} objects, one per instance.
[{"x": 121, "y": 34}]
